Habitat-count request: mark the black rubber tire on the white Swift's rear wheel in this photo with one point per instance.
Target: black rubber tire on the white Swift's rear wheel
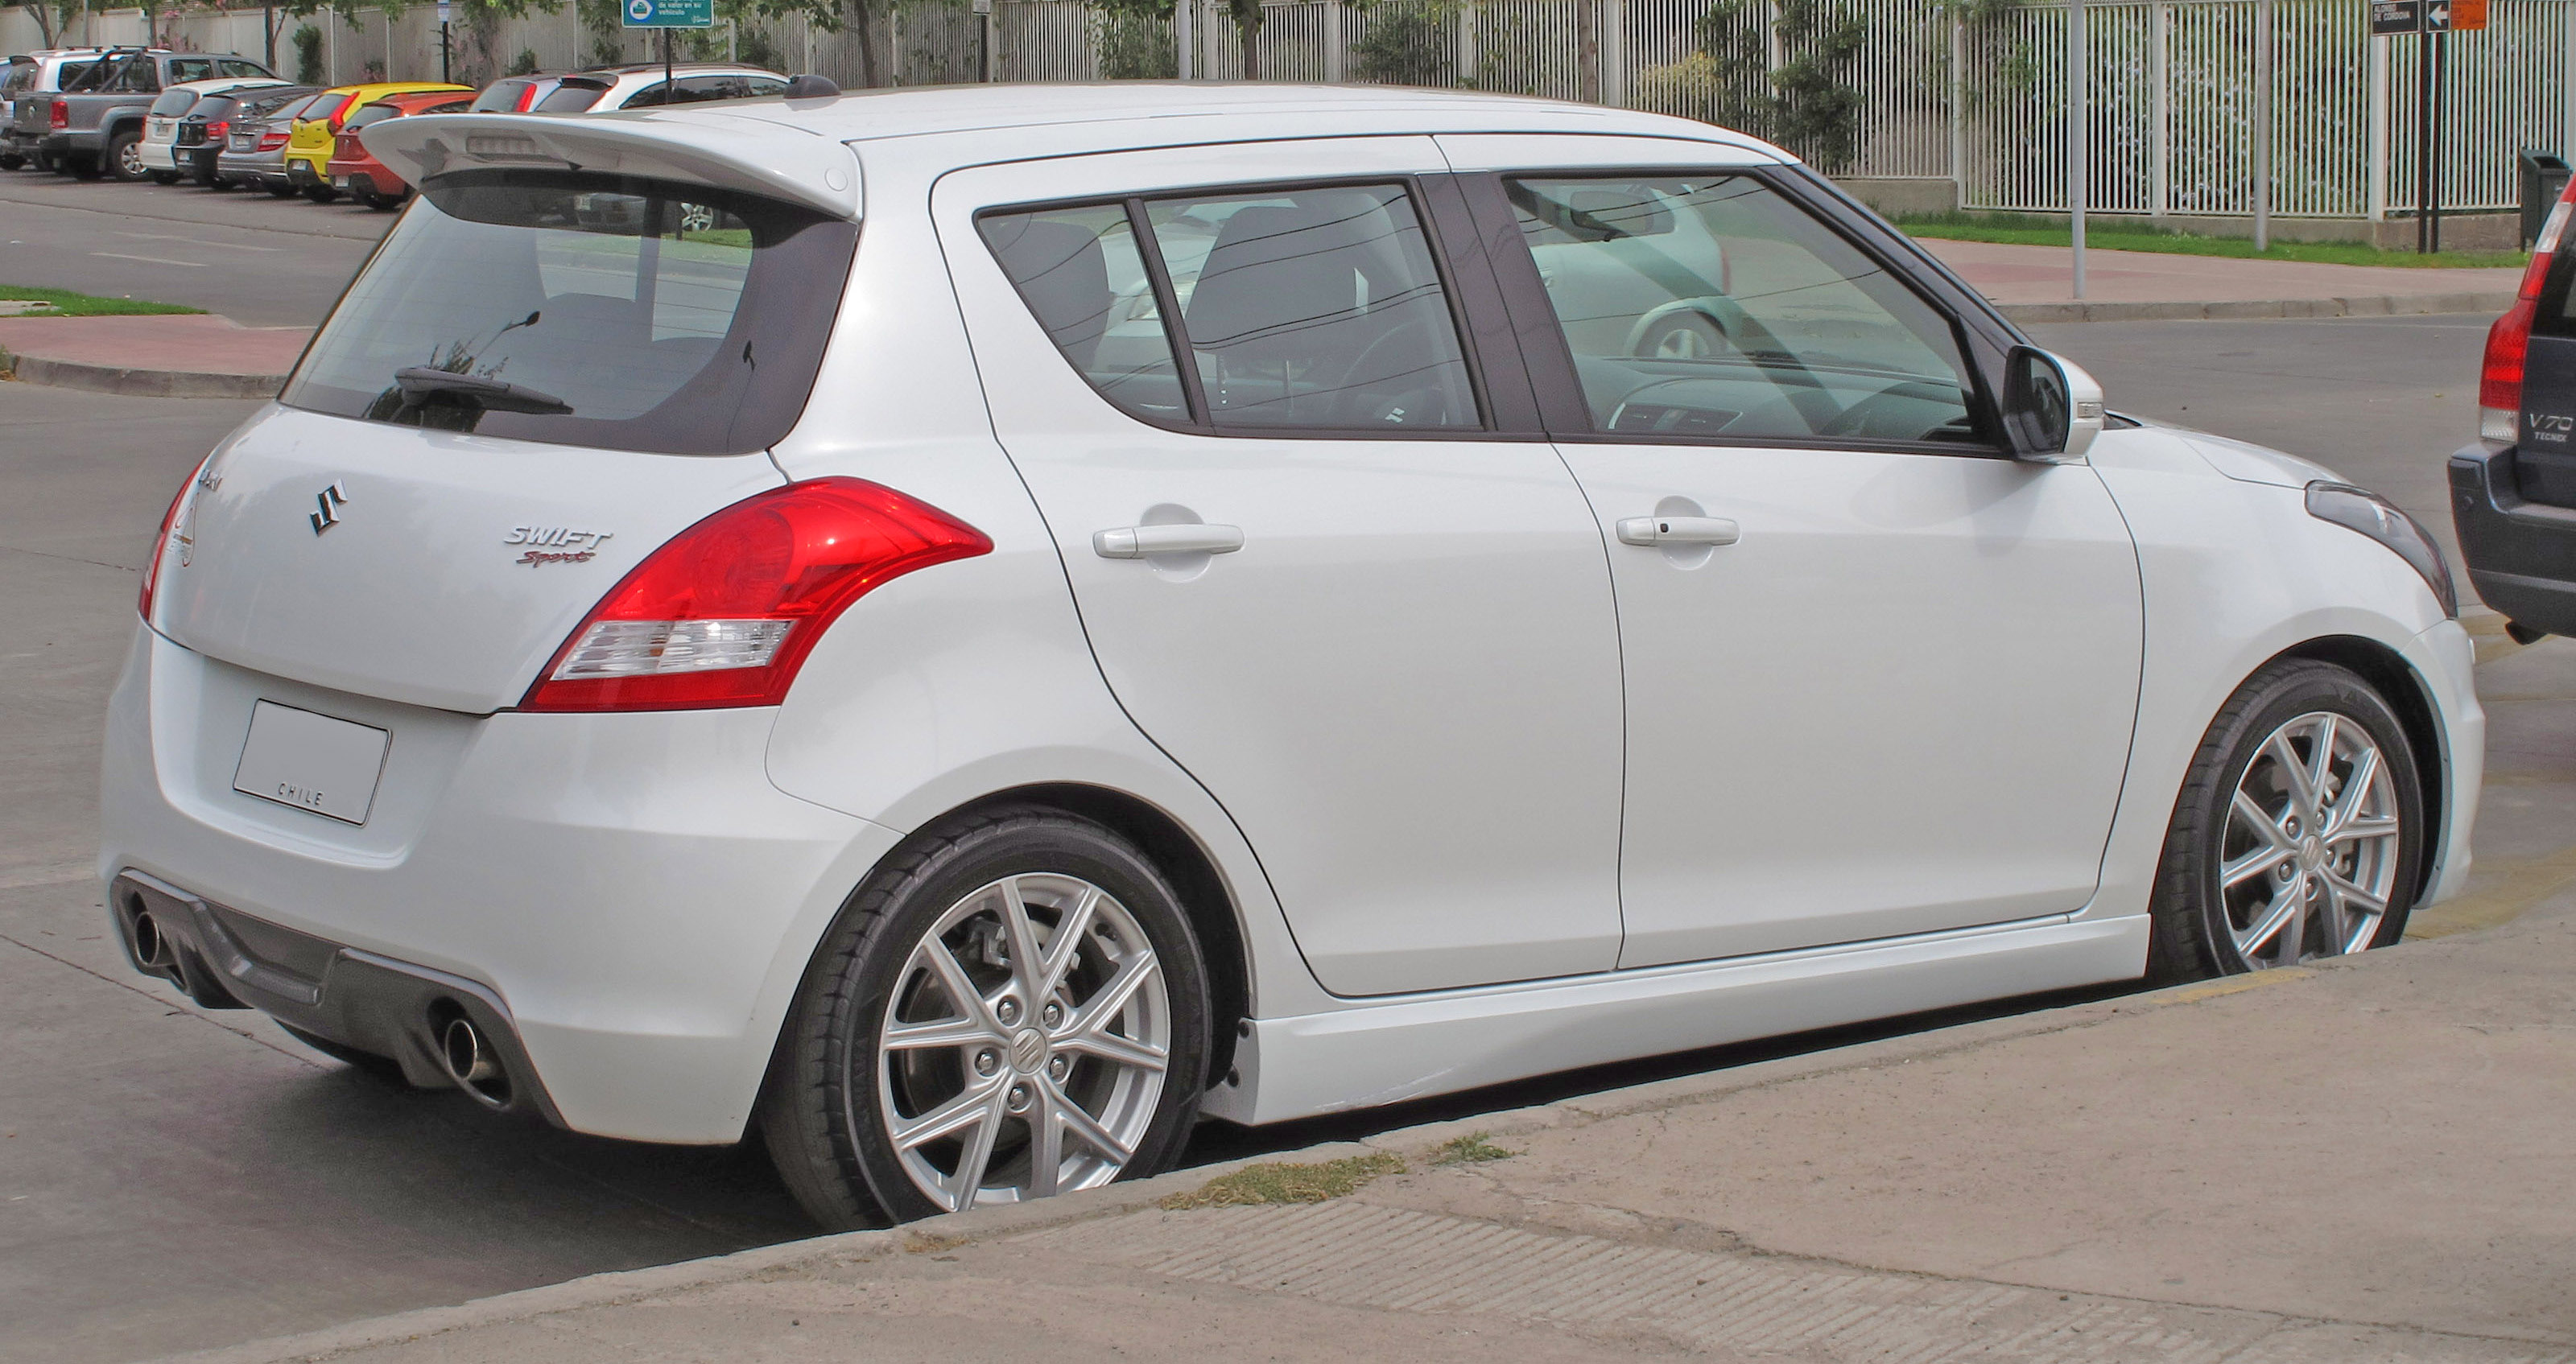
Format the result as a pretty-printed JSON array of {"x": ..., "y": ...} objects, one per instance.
[{"x": 820, "y": 1108}]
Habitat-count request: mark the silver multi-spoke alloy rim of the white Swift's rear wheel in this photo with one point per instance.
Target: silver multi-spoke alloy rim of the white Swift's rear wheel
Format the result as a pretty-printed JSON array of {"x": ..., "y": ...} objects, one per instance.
[{"x": 1024, "y": 1046}]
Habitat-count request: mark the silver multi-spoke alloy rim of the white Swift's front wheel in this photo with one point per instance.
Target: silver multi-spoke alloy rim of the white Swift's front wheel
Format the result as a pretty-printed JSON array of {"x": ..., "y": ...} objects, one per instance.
[{"x": 2309, "y": 856}]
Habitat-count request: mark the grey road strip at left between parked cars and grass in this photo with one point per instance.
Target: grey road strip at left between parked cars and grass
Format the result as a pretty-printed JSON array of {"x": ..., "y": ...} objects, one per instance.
[{"x": 254, "y": 259}]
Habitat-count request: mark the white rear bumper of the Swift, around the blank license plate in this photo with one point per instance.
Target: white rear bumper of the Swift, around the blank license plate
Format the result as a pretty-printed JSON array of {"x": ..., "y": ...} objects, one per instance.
[{"x": 627, "y": 894}]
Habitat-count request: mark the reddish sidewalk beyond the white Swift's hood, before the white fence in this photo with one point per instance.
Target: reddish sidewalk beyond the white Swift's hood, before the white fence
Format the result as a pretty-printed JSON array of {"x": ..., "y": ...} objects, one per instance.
[{"x": 2036, "y": 284}]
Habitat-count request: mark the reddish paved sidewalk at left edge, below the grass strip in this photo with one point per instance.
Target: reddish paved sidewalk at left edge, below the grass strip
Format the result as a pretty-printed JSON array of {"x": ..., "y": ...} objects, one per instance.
[{"x": 169, "y": 356}]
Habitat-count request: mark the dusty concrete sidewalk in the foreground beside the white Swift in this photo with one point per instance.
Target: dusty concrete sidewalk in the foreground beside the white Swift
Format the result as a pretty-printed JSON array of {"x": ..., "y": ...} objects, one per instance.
[{"x": 2366, "y": 1159}]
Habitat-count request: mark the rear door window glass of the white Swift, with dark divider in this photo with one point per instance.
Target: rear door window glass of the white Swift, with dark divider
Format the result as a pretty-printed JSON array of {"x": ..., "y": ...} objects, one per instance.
[{"x": 1297, "y": 310}]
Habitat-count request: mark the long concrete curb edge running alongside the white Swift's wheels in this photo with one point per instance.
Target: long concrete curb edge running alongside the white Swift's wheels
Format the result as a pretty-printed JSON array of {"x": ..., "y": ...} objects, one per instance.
[{"x": 939, "y": 1234}]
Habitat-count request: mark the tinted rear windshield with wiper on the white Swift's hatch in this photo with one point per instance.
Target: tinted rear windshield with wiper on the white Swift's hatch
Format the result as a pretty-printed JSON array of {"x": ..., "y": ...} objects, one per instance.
[{"x": 586, "y": 310}]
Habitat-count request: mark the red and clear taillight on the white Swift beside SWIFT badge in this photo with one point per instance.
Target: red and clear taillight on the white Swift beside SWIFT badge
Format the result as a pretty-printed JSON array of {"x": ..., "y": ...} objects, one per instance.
[{"x": 730, "y": 609}]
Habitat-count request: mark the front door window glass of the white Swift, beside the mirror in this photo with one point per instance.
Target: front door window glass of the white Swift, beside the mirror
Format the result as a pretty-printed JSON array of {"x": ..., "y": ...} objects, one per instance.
[{"x": 1712, "y": 308}]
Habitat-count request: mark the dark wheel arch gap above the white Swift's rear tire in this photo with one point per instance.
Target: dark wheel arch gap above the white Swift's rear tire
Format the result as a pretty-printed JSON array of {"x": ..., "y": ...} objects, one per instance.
[{"x": 1204, "y": 894}]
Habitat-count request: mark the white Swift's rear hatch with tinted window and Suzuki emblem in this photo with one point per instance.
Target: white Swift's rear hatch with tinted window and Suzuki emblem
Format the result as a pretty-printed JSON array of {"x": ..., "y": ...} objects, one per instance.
[{"x": 535, "y": 385}]
